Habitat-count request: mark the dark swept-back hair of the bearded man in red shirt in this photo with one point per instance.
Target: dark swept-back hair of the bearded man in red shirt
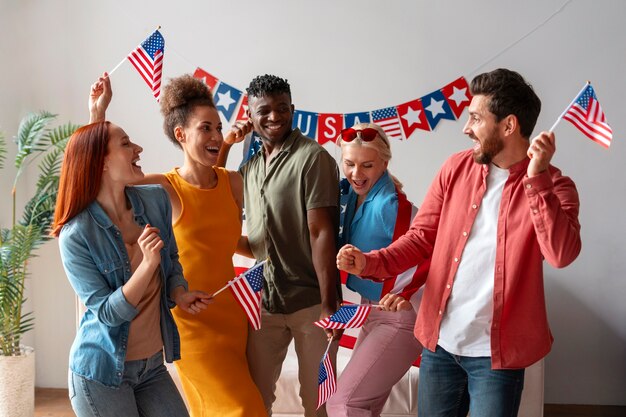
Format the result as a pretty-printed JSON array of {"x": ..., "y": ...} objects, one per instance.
[{"x": 509, "y": 93}]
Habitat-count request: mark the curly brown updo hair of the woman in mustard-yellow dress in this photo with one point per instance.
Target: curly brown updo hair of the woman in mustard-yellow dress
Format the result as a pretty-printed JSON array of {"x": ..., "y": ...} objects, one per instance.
[{"x": 178, "y": 99}]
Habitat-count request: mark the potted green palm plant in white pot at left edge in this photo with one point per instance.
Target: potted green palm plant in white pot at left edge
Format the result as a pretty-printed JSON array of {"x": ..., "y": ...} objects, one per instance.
[{"x": 36, "y": 142}]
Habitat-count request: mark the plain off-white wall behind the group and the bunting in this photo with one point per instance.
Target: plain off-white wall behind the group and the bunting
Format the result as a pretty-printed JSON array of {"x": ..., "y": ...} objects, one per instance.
[{"x": 343, "y": 57}]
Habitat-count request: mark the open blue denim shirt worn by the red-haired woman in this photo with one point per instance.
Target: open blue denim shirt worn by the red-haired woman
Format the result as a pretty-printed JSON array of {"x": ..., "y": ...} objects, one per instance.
[{"x": 97, "y": 265}]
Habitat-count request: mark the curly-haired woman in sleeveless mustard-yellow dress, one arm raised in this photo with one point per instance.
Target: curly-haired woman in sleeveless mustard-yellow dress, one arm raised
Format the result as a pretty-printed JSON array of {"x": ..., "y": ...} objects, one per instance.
[{"x": 206, "y": 215}]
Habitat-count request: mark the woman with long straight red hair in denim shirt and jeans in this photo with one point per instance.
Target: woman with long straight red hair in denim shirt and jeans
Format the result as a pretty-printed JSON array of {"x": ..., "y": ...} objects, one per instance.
[{"x": 120, "y": 256}]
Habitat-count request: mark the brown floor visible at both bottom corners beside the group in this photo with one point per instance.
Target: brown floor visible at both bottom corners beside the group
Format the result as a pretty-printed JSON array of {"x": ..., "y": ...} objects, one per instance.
[{"x": 53, "y": 402}]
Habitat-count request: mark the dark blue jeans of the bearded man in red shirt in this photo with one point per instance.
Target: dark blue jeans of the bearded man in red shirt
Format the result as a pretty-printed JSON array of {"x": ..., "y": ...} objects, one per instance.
[{"x": 450, "y": 385}]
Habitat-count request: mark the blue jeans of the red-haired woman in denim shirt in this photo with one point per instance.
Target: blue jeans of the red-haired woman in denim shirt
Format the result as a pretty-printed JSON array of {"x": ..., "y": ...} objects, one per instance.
[{"x": 147, "y": 390}]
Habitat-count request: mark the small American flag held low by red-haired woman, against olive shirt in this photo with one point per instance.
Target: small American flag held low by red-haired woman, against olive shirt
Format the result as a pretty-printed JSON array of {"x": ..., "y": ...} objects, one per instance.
[{"x": 247, "y": 289}]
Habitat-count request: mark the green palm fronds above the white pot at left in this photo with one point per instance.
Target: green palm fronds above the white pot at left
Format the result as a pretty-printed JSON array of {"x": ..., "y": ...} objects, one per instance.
[{"x": 19, "y": 243}]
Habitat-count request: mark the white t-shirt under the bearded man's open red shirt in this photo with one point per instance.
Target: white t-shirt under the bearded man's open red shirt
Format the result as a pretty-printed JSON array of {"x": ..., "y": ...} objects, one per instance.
[{"x": 466, "y": 325}]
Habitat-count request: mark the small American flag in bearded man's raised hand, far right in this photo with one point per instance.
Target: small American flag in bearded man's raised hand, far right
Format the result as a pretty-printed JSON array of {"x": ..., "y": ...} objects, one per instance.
[{"x": 586, "y": 114}]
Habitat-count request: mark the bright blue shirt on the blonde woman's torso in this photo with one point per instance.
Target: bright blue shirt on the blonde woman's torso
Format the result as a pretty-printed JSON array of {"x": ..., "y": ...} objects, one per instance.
[{"x": 369, "y": 227}]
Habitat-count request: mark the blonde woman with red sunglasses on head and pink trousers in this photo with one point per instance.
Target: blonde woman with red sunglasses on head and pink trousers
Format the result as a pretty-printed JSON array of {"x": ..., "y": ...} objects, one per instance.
[{"x": 376, "y": 212}]
